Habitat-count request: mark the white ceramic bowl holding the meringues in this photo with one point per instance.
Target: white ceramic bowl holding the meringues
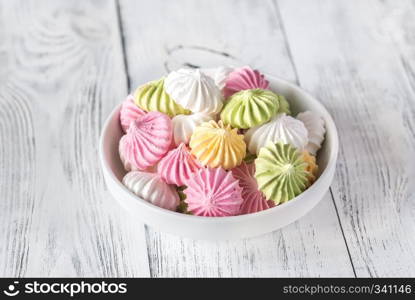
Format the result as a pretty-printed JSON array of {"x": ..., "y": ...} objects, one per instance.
[{"x": 219, "y": 228}]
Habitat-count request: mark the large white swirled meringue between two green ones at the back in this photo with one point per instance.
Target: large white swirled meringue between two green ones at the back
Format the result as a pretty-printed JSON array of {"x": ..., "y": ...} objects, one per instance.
[{"x": 194, "y": 91}]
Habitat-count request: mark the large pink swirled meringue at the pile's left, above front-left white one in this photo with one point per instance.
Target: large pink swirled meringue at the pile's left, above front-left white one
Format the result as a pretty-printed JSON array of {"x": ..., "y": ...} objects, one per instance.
[{"x": 147, "y": 140}]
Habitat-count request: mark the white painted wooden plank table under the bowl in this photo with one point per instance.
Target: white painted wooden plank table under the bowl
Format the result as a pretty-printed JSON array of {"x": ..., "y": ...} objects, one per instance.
[{"x": 65, "y": 64}]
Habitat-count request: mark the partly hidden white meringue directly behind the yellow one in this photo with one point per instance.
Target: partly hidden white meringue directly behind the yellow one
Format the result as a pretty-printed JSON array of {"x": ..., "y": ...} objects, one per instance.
[{"x": 184, "y": 125}]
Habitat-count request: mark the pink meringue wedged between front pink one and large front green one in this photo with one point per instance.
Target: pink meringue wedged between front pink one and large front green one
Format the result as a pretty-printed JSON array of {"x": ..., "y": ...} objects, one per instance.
[{"x": 254, "y": 200}]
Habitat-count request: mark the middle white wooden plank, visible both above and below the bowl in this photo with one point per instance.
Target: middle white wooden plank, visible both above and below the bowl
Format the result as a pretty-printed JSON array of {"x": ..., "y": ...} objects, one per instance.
[{"x": 164, "y": 35}]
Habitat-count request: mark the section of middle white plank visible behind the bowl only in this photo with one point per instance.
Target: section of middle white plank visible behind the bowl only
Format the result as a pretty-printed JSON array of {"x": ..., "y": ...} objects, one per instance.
[{"x": 167, "y": 36}]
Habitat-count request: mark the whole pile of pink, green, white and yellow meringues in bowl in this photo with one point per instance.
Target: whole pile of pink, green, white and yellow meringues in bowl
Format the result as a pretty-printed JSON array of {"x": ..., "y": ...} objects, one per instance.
[{"x": 216, "y": 142}]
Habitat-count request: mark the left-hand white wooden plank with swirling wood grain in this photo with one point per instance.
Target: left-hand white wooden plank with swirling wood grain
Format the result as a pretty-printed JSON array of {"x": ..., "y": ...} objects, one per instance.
[{"x": 62, "y": 72}]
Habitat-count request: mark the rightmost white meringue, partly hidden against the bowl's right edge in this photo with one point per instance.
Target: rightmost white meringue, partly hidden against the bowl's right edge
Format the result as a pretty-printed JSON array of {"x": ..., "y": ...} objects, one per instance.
[{"x": 316, "y": 130}]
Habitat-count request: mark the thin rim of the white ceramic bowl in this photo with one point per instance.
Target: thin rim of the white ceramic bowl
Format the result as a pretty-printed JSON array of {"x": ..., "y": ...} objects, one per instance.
[{"x": 329, "y": 124}]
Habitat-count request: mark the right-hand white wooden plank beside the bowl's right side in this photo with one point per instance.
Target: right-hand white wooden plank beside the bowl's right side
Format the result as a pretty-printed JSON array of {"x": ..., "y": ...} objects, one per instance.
[{"x": 357, "y": 57}]
